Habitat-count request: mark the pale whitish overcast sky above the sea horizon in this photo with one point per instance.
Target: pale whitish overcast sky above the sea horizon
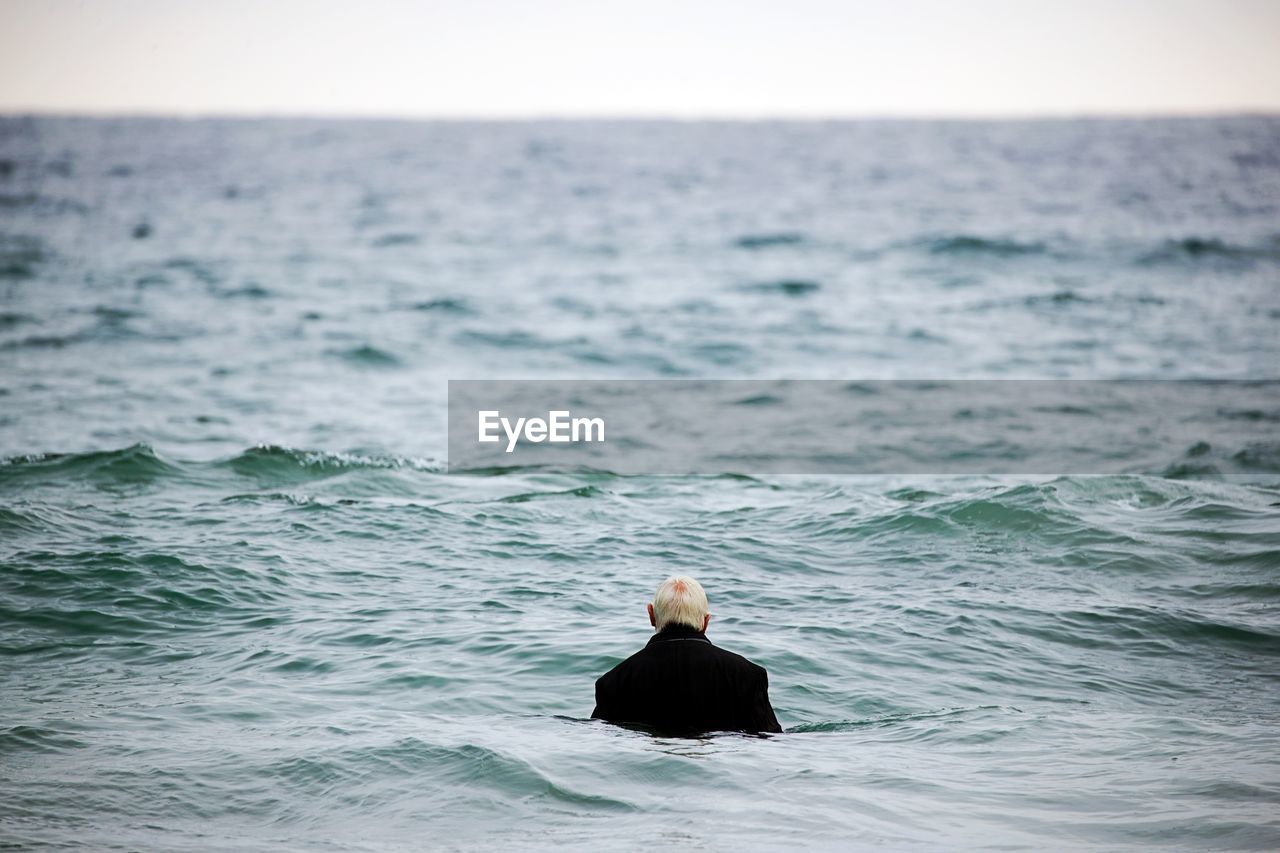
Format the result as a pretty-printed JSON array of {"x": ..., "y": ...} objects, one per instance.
[{"x": 678, "y": 58}]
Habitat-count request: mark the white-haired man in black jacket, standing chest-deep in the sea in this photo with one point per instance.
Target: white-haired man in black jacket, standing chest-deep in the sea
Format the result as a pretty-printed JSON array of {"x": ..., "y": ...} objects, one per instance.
[{"x": 679, "y": 683}]
